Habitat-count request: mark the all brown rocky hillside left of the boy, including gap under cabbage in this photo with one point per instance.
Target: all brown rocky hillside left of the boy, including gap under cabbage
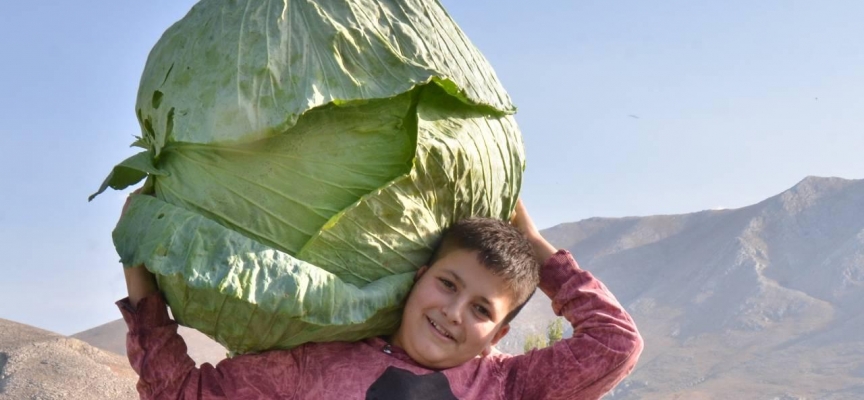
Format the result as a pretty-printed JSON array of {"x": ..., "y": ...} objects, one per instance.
[{"x": 41, "y": 365}]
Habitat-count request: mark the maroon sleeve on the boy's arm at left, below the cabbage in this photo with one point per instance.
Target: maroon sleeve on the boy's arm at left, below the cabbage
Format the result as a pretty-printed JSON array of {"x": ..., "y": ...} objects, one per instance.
[{"x": 158, "y": 354}]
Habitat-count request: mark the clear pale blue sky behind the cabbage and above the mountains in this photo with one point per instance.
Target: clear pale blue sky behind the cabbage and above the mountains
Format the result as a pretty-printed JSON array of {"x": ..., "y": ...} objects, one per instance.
[{"x": 626, "y": 108}]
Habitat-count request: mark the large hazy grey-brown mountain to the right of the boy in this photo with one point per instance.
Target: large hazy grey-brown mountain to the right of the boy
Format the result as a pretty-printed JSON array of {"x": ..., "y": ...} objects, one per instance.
[{"x": 760, "y": 302}]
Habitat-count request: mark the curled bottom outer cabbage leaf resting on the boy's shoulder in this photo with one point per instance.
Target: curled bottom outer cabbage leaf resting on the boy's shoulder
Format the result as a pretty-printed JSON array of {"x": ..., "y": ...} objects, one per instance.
[{"x": 244, "y": 294}]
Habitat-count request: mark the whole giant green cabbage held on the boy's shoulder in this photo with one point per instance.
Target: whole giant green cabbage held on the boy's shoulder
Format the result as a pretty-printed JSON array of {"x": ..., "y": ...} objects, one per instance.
[{"x": 304, "y": 158}]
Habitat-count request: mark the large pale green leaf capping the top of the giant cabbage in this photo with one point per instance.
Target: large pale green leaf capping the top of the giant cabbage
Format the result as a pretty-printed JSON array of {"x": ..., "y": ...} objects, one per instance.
[{"x": 278, "y": 59}]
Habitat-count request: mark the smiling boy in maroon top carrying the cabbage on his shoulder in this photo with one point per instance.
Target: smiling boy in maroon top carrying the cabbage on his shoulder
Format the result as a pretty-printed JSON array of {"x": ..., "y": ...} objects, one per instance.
[{"x": 461, "y": 305}]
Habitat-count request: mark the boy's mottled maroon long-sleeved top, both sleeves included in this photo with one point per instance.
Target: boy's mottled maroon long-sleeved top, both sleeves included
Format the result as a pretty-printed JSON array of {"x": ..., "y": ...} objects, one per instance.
[{"x": 603, "y": 350}]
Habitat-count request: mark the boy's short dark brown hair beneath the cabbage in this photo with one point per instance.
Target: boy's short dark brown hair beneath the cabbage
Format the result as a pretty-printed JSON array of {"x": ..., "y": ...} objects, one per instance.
[{"x": 502, "y": 249}]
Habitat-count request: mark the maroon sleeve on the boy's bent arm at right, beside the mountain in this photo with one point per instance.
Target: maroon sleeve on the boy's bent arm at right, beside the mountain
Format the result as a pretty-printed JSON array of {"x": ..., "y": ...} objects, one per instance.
[{"x": 604, "y": 347}]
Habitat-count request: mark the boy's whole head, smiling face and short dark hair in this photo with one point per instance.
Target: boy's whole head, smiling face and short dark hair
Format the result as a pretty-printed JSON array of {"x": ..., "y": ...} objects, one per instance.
[{"x": 480, "y": 276}]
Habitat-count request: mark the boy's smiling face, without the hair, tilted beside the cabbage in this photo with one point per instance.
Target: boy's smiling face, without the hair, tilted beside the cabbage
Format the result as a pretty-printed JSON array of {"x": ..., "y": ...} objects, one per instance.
[{"x": 454, "y": 312}]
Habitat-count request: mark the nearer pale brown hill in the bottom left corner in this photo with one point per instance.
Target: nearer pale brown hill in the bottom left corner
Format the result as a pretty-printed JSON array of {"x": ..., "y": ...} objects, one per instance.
[{"x": 37, "y": 364}]
